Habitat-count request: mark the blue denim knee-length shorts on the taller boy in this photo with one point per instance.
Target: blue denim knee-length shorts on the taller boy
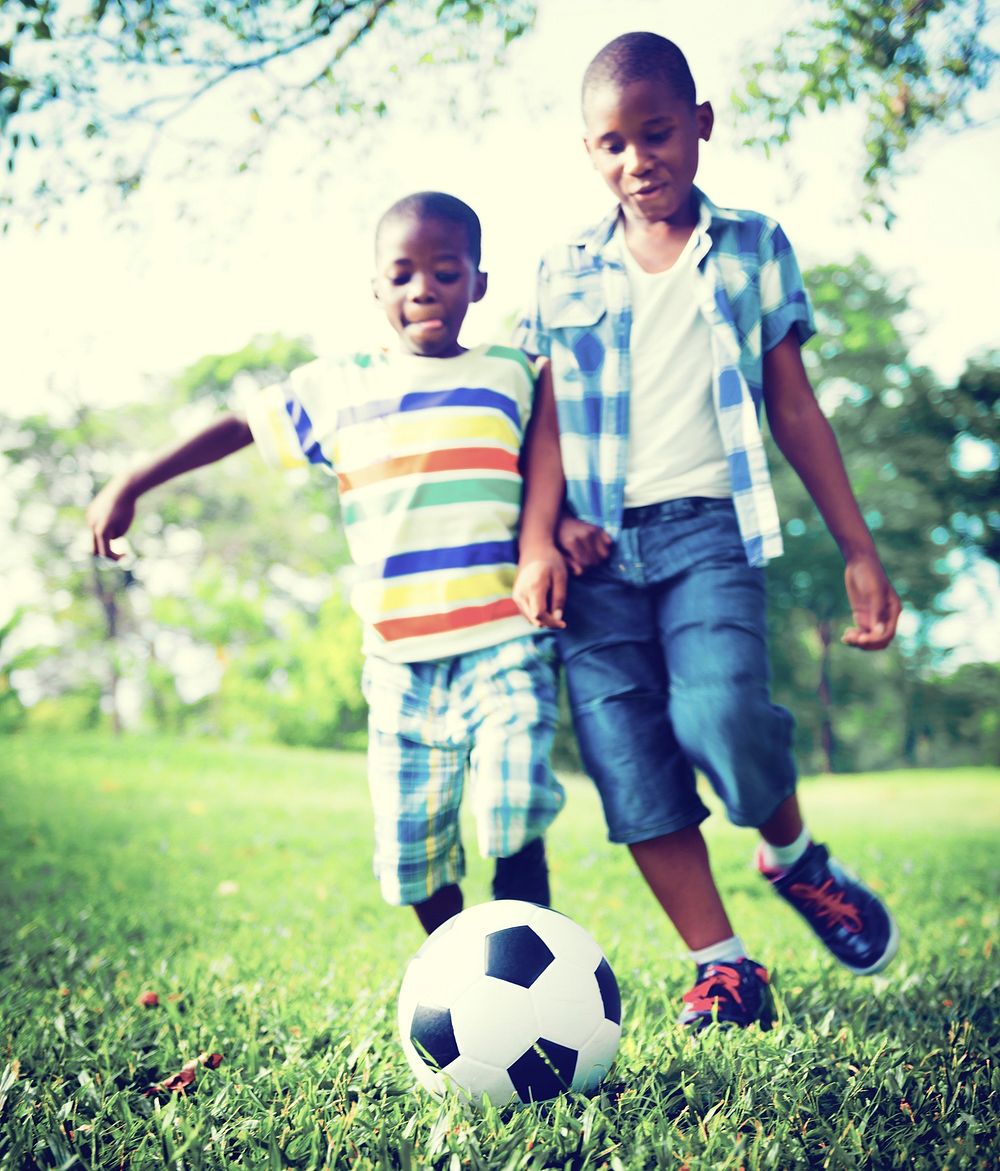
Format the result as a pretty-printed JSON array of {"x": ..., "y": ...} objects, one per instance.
[{"x": 668, "y": 669}]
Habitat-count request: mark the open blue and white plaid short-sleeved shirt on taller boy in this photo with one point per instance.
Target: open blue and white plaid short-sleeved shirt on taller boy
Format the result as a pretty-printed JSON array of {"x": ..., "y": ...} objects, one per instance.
[{"x": 751, "y": 295}]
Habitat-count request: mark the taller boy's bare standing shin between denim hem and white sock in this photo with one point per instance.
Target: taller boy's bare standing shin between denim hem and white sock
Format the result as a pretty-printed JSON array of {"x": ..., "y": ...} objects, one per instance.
[{"x": 676, "y": 867}]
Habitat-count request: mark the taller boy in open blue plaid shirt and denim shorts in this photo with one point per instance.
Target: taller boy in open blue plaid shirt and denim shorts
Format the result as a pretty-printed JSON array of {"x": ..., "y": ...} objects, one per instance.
[{"x": 668, "y": 326}]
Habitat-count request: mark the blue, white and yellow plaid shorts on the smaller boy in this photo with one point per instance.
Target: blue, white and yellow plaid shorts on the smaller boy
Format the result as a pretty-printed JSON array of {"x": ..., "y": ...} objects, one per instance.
[{"x": 490, "y": 715}]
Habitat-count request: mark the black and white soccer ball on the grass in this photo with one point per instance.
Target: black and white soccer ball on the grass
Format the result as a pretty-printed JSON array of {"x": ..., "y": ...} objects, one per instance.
[{"x": 510, "y": 1001}]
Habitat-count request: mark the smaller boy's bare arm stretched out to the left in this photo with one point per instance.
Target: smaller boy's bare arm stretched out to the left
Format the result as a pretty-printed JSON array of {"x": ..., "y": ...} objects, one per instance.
[{"x": 114, "y": 509}]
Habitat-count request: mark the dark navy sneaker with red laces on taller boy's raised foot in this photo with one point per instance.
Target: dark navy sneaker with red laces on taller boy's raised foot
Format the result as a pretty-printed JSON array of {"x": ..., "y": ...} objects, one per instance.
[{"x": 850, "y": 919}]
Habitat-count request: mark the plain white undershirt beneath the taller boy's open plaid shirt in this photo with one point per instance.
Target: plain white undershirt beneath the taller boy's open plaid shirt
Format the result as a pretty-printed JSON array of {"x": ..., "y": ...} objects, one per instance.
[{"x": 675, "y": 446}]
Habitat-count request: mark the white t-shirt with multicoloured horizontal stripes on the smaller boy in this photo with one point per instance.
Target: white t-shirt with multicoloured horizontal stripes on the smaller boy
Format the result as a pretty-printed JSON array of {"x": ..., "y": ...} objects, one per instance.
[{"x": 426, "y": 455}]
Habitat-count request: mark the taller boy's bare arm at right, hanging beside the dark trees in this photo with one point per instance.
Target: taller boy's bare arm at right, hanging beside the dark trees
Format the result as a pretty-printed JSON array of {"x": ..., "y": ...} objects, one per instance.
[{"x": 809, "y": 443}]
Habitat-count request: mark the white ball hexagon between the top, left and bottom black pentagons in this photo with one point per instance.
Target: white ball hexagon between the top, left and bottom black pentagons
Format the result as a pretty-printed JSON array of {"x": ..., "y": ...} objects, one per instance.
[{"x": 495, "y": 1022}]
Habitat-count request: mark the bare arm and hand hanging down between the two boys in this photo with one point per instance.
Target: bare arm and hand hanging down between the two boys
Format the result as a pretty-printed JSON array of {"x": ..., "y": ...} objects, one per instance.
[{"x": 540, "y": 586}]
